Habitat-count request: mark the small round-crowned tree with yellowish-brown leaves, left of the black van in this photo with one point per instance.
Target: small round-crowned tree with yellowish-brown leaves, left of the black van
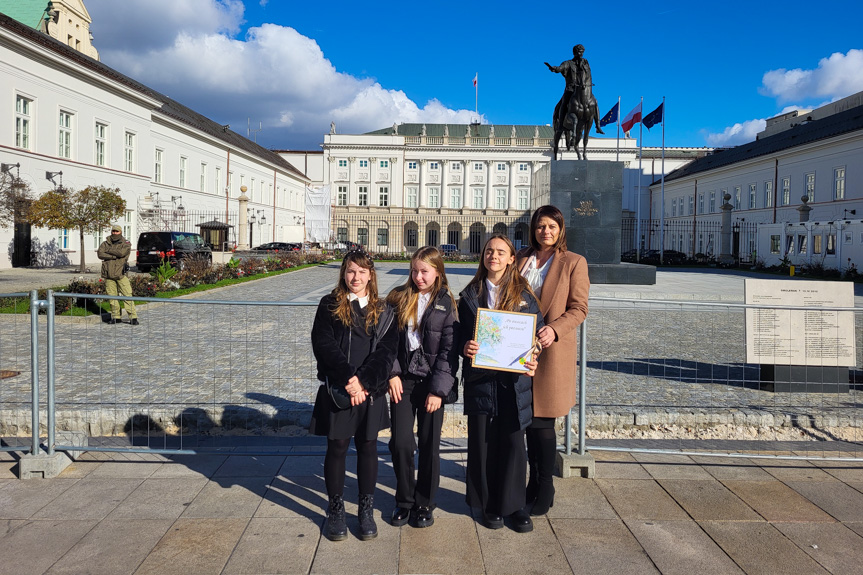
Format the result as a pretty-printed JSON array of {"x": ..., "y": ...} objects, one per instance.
[{"x": 89, "y": 211}]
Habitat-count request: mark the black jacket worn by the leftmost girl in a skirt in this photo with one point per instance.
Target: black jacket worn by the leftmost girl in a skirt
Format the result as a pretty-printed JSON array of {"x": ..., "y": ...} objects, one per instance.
[{"x": 331, "y": 344}]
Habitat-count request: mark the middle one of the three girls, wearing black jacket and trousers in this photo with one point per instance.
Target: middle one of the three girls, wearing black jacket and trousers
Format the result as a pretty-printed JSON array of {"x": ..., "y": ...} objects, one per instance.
[{"x": 422, "y": 377}]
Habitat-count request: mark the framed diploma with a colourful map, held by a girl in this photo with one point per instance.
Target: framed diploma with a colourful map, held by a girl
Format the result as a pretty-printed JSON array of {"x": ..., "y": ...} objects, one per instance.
[{"x": 506, "y": 339}]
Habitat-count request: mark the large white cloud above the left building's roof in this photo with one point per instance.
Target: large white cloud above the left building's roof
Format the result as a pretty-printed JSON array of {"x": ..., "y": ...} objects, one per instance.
[{"x": 274, "y": 74}]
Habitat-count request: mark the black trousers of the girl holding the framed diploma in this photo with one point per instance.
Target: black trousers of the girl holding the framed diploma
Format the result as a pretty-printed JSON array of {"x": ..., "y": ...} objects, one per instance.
[{"x": 496, "y": 459}]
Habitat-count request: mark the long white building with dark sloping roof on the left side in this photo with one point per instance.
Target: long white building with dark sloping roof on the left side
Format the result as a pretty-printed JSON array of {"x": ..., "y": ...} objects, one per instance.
[{"x": 62, "y": 110}]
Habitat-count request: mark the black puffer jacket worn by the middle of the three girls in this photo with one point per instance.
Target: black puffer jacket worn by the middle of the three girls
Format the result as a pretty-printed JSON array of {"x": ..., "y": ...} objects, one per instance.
[{"x": 438, "y": 328}]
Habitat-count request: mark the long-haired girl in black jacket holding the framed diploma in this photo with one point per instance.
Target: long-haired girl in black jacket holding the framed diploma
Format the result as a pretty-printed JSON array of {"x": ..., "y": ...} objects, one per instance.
[{"x": 497, "y": 403}]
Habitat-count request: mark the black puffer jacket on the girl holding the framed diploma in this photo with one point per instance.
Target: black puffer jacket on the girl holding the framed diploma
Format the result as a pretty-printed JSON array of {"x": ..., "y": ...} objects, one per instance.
[{"x": 481, "y": 385}]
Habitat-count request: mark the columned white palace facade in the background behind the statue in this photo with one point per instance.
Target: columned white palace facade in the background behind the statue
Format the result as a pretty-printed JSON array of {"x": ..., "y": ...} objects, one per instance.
[{"x": 410, "y": 185}]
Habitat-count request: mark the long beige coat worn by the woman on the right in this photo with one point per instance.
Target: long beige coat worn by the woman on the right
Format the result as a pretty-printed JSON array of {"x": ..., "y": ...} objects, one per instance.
[{"x": 563, "y": 302}]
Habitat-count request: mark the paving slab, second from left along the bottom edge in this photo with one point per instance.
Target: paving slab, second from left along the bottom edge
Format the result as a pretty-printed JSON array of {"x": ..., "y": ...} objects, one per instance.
[{"x": 112, "y": 547}]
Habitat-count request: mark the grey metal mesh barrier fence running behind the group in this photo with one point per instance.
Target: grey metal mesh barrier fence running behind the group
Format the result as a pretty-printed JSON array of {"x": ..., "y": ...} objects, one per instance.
[{"x": 203, "y": 375}]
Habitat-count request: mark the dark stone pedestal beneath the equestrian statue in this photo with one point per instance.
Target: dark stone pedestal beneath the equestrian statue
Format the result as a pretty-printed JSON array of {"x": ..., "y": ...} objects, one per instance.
[{"x": 589, "y": 193}]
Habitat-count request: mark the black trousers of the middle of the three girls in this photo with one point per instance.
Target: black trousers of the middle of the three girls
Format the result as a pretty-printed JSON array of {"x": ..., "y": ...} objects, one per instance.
[{"x": 415, "y": 488}]
